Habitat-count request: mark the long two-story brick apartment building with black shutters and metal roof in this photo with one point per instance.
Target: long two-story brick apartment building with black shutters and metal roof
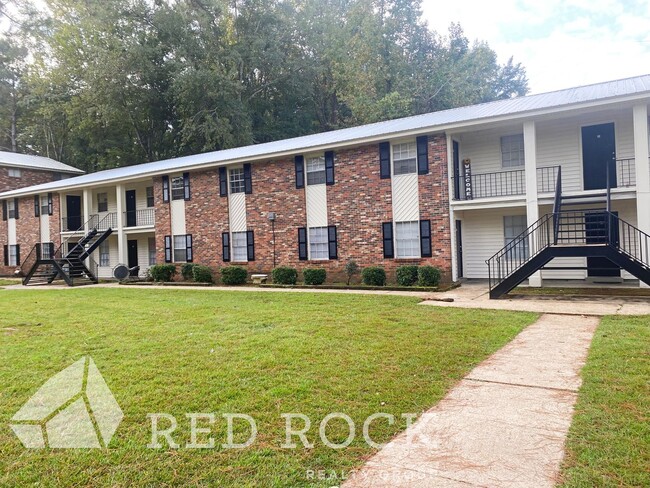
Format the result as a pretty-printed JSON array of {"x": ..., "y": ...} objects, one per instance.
[{"x": 450, "y": 188}]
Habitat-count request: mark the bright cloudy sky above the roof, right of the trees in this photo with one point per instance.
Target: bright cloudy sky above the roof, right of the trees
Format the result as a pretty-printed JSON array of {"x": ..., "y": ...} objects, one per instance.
[{"x": 561, "y": 43}]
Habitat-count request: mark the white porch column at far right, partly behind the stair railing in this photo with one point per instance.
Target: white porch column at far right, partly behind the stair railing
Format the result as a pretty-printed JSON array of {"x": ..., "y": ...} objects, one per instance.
[{"x": 642, "y": 164}]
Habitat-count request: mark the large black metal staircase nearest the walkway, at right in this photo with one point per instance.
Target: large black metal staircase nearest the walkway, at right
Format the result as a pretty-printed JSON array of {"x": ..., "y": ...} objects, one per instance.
[{"x": 583, "y": 232}]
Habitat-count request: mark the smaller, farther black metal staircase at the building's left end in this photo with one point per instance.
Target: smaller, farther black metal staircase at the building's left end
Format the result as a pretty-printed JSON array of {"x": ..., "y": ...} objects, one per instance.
[{"x": 75, "y": 266}]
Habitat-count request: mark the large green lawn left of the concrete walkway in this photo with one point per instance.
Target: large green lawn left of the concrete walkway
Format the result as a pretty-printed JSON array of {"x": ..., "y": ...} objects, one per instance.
[{"x": 262, "y": 354}]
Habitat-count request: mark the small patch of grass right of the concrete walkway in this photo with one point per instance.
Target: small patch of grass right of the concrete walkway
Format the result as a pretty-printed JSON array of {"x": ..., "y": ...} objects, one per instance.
[{"x": 609, "y": 440}]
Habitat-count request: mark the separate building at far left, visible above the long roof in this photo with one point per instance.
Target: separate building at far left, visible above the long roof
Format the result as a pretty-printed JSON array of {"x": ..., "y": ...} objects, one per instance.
[{"x": 21, "y": 170}]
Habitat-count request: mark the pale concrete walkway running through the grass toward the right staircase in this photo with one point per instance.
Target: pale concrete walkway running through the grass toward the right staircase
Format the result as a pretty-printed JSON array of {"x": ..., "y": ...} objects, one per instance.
[{"x": 504, "y": 425}]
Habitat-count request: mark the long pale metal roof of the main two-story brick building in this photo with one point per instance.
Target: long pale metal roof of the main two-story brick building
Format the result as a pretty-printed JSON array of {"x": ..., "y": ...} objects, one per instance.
[{"x": 432, "y": 122}]
